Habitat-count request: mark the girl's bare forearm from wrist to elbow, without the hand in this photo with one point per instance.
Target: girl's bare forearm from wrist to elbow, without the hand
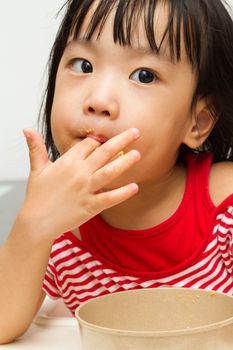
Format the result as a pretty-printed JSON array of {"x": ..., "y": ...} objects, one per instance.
[{"x": 23, "y": 261}]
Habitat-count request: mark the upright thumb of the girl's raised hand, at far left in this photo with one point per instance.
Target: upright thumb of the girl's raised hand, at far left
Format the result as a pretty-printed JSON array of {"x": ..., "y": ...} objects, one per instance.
[{"x": 37, "y": 150}]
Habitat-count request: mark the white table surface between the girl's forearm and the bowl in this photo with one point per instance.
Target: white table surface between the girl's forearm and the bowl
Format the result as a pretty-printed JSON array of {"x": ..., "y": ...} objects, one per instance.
[{"x": 50, "y": 331}]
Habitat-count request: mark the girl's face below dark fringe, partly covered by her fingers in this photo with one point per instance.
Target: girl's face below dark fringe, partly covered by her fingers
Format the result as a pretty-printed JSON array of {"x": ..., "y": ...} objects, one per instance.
[{"x": 103, "y": 88}]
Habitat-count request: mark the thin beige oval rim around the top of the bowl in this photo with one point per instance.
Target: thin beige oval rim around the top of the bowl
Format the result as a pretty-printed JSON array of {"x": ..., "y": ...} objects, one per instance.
[{"x": 167, "y": 333}]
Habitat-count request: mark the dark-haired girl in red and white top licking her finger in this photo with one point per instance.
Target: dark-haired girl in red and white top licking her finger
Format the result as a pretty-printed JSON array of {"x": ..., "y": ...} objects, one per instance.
[{"x": 138, "y": 127}]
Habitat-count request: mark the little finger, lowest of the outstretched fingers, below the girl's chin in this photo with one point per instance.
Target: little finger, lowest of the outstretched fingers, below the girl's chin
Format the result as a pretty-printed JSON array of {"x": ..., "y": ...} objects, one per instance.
[{"x": 111, "y": 198}]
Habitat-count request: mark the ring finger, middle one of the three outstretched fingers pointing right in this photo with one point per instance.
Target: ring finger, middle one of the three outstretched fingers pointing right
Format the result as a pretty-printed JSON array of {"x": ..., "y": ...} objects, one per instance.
[{"x": 112, "y": 170}]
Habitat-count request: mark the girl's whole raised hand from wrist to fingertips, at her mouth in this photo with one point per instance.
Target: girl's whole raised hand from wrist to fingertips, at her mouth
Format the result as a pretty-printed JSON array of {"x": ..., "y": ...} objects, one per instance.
[{"x": 63, "y": 195}]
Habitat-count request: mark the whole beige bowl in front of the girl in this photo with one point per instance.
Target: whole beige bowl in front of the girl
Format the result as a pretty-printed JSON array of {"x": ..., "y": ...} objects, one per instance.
[{"x": 157, "y": 319}]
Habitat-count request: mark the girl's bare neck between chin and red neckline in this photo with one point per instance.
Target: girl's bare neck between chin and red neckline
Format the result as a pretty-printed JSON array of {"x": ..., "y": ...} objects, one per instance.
[{"x": 153, "y": 204}]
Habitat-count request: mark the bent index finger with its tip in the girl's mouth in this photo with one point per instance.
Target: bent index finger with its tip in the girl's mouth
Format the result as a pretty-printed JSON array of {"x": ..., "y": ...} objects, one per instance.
[{"x": 84, "y": 148}]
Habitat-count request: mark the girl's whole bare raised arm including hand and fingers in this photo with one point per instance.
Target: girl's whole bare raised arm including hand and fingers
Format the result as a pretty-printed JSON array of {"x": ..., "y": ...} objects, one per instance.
[{"x": 60, "y": 196}]
